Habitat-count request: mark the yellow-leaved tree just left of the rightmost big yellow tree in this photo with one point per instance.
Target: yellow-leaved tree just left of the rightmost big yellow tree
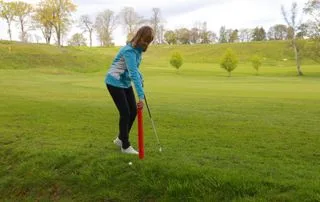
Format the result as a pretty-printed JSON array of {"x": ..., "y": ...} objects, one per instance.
[{"x": 42, "y": 20}]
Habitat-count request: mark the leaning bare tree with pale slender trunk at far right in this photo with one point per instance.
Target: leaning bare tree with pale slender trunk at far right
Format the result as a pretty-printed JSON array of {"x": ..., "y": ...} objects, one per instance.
[{"x": 292, "y": 22}]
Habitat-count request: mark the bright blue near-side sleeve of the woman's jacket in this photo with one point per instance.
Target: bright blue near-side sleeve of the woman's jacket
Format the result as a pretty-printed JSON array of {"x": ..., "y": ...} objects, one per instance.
[{"x": 132, "y": 65}]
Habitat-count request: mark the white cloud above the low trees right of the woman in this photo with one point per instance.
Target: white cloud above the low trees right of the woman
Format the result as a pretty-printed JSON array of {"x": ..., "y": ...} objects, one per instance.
[{"x": 235, "y": 14}]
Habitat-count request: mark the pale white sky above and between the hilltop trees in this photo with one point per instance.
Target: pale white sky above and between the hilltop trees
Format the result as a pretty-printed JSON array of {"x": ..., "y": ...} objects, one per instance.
[{"x": 234, "y": 14}]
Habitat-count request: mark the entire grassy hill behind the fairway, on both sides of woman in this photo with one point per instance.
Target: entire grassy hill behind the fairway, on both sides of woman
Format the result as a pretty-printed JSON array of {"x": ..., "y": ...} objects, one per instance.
[{"x": 21, "y": 56}]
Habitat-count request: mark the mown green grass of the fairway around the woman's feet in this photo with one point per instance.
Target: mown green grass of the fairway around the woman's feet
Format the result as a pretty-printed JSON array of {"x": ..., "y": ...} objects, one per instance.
[{"x": 244, "y": 138}]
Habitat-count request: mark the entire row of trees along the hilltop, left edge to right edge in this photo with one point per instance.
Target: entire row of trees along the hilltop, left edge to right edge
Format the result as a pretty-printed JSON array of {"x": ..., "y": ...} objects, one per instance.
[{"x": 53, "y": 19}]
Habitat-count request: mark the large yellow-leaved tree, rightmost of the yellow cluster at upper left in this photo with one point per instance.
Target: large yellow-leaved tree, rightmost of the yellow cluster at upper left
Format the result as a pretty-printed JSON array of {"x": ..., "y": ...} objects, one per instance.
[{"x": 59, "y": 13}]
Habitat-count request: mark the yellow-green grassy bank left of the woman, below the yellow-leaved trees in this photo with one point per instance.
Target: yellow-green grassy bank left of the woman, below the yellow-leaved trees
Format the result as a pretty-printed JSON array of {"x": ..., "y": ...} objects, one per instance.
[{"x": 23, "y": 56}]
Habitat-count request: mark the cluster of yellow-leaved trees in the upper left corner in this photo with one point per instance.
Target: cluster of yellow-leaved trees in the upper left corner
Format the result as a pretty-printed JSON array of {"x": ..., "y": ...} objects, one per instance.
[{"x": 52, "y": 17}]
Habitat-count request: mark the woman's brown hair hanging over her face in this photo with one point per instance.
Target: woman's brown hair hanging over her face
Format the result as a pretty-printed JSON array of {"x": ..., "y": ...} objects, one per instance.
[{"x": 143, "y": 38}]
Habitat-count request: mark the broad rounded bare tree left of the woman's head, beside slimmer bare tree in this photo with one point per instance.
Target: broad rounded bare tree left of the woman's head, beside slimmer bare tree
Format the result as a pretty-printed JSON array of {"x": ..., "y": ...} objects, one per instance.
[{"x": 105, "y": 24}]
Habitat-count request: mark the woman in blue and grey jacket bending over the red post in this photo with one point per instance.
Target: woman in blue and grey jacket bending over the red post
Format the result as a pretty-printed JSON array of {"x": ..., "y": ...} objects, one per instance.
[{"x": 123, "y": 71}]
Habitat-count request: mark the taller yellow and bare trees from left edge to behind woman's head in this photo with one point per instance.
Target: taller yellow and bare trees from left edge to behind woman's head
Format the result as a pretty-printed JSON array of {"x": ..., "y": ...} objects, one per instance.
[{"x": 53, "y": 19}]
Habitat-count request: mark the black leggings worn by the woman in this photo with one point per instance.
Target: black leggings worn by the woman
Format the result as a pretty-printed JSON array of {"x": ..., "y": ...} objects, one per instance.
[{"x": 126, "y": 103}]
